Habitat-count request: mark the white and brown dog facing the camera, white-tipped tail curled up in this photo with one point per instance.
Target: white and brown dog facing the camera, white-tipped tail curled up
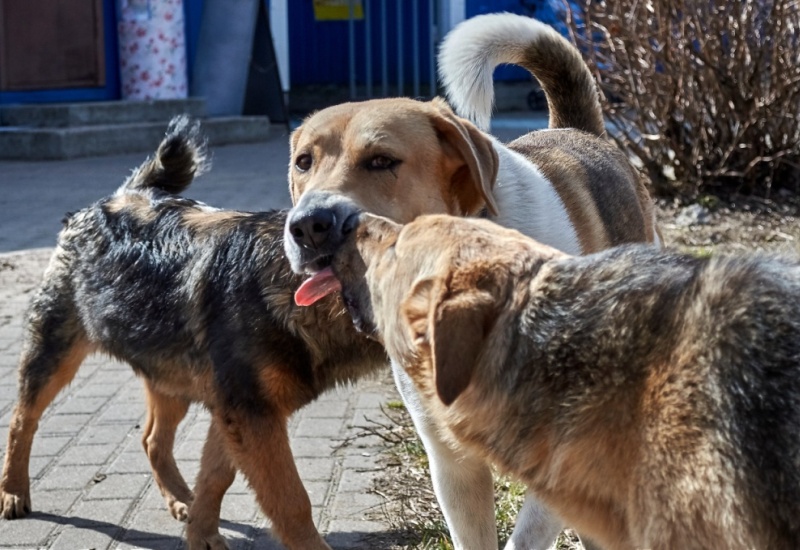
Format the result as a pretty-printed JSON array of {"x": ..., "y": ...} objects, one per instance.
[{"x": 567, "y": 187}]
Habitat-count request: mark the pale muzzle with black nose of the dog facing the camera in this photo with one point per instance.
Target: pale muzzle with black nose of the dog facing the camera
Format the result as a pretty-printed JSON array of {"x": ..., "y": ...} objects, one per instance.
[{"x": 316, "y": 228}]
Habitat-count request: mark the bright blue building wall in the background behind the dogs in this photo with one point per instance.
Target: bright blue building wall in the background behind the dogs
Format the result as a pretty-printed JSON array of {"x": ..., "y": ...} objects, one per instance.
[{"x": 318, "y": 50}]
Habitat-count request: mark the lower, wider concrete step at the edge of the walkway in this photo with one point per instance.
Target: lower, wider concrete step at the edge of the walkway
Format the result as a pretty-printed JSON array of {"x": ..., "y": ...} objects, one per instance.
[{"x": 31, "y": 143}]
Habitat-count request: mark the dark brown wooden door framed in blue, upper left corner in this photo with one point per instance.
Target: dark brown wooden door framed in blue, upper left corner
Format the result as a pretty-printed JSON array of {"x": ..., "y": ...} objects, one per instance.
[{"x": 49, "y": 44}]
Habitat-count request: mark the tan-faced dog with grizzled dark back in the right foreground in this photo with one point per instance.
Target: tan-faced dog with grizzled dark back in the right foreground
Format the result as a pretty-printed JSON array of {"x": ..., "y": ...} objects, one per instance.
[{"x": 651, "y": 399}]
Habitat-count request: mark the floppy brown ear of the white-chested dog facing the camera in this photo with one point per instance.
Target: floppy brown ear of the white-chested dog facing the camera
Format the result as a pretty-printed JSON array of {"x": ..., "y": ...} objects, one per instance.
[{"x": 473, "y": 182}]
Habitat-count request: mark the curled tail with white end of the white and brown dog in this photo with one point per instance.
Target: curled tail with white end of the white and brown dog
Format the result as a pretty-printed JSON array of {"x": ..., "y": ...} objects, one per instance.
[{"x": 472, "y": 50}]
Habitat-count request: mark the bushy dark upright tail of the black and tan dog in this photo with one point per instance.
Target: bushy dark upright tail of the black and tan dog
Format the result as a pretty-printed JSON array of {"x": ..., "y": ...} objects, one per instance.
[{"x": 180, "y": 157}]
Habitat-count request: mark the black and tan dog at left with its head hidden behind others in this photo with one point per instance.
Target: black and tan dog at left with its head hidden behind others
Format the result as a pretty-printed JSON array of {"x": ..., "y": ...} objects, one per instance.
[{"x": 199, "y": 301}]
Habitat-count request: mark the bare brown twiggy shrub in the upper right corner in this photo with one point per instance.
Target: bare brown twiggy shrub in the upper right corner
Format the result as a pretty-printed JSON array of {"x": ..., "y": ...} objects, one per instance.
[{"x": 705, "y": 93}]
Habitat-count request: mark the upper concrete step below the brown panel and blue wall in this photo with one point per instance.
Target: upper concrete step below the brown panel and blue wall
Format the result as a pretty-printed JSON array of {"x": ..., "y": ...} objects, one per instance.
[{"x": 65, "y": 115}]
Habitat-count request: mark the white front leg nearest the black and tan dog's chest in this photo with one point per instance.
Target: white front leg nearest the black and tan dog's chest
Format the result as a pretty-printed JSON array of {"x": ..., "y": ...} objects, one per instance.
[{"x": 462, "y": 483}]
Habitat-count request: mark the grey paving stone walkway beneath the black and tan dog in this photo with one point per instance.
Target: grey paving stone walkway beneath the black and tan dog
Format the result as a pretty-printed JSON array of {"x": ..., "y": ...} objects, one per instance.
[{"x": 91, "y": 482}]
